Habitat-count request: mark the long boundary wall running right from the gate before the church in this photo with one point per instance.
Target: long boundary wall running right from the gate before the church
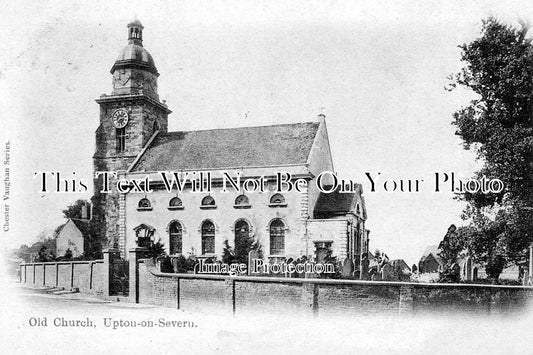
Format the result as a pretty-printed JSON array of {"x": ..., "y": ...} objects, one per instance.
[{"x": 338, "y": 297}]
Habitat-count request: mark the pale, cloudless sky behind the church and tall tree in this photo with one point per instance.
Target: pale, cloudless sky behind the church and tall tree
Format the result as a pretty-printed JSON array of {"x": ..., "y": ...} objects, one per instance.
[{"x": 378, "y": 71}]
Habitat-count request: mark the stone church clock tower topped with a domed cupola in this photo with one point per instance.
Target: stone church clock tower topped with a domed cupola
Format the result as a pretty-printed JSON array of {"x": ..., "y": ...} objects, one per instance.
[{"x": 129, "y": 117}]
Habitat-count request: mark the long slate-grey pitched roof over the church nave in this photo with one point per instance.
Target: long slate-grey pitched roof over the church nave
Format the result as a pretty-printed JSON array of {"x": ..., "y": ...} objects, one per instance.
[{"x": 234, "y": 147}]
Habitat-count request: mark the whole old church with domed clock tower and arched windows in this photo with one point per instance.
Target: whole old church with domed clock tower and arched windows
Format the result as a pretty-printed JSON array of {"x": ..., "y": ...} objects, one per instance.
[{"x": 133, "y": 140}]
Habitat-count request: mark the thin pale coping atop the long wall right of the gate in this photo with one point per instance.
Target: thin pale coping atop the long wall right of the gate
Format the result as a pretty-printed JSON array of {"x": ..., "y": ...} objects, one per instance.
[{"x": 153, "y": 270}]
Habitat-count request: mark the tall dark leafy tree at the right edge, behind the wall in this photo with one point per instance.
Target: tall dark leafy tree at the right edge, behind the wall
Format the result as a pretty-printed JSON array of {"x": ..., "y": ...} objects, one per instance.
[{"x": 498, "y": 125}]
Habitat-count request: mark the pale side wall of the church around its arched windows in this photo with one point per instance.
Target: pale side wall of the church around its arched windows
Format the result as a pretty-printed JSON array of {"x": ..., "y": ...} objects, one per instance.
[{"x": 259, "y": 216}]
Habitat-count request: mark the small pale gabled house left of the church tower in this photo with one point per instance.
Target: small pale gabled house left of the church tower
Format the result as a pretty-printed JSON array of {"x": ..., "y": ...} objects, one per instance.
[{"x": 72, "y": 236}]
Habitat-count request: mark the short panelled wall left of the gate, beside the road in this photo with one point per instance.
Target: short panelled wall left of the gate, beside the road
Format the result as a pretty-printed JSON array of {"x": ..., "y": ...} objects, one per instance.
[{"x": 87, "y": 276}]
